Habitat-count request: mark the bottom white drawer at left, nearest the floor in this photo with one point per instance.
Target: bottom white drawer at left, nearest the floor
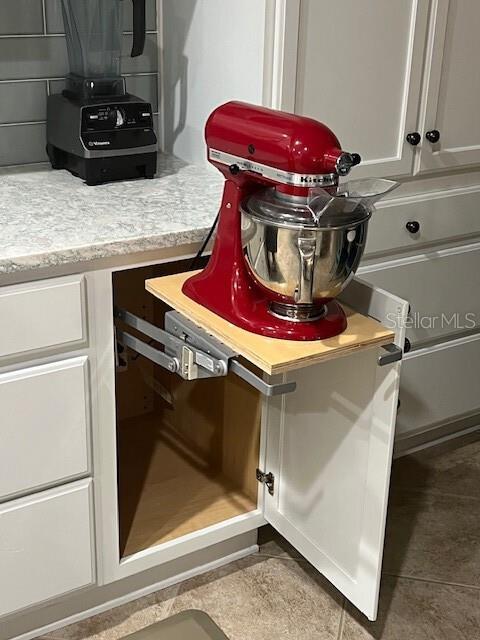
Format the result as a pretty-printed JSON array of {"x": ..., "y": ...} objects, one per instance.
[{"x": 46, "y": 546}]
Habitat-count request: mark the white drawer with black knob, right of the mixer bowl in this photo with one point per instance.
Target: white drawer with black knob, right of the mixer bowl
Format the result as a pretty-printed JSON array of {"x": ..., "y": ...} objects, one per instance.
[{"x": 440, "y": 217}]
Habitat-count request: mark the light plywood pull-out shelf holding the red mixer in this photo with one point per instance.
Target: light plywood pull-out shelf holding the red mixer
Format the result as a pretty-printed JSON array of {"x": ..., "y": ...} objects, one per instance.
[{"x": 269, "y": 354}]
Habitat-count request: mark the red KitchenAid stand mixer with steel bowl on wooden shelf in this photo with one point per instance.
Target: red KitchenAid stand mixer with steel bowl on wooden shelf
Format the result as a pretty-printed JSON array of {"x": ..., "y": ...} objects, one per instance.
[{"x": 289, "y": 238}]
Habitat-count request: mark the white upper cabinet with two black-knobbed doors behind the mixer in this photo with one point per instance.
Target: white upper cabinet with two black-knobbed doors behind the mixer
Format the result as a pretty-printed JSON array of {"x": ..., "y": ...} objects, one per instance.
[{"x": 374, "y": 71}]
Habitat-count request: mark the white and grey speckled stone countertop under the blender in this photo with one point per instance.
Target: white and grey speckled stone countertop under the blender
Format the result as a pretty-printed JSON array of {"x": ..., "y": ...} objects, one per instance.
[{"x": 50, "y": 218}]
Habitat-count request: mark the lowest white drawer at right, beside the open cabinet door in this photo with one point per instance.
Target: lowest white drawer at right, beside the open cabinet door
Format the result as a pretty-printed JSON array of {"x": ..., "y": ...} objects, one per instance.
[{"x": 439, "y": 385}]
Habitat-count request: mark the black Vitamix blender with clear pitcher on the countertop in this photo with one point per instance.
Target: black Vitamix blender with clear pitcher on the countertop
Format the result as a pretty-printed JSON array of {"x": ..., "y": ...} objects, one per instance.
[{"x": 95, "y": 129}]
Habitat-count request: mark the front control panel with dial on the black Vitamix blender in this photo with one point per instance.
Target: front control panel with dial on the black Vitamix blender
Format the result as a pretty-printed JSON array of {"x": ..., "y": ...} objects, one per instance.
[{"x": 117, "y": 126}]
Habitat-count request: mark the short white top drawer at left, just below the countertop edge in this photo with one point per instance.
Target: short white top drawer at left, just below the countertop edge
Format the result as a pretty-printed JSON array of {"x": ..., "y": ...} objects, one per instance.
[{"x": 42, "y": 315}]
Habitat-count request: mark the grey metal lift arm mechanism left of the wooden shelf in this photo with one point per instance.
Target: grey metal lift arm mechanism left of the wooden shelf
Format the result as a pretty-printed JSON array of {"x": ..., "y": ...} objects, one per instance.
[{"x": 190, "y": 351}]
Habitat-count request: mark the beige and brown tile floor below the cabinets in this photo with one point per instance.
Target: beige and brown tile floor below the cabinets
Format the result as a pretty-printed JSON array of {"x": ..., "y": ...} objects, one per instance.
[{"x": 430, "y": 588}]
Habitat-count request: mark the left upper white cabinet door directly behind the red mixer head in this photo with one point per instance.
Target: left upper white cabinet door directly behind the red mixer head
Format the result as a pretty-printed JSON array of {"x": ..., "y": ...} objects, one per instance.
[{"x": 359, "y": 71}]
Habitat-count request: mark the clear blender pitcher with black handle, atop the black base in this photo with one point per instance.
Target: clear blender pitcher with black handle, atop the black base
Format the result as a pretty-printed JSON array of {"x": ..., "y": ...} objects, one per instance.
[{"x": 93, "y": 31}]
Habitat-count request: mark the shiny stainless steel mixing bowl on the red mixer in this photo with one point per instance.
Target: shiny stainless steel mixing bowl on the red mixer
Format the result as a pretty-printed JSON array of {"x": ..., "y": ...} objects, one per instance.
[{"x": 302, "y": 259}]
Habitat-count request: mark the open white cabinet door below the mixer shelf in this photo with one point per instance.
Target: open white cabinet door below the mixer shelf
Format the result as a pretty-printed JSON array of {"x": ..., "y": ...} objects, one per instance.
[{"x": 329, "y": 447}]
